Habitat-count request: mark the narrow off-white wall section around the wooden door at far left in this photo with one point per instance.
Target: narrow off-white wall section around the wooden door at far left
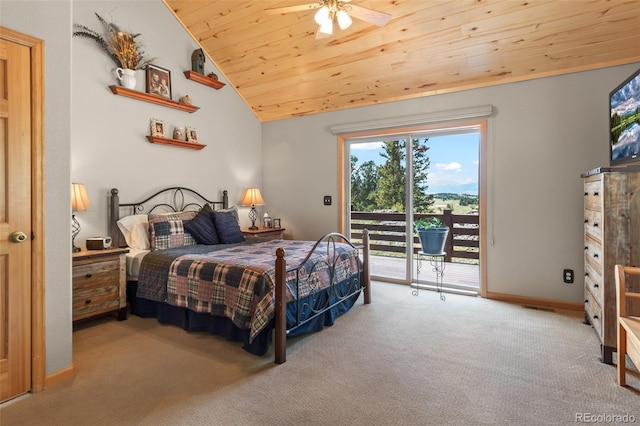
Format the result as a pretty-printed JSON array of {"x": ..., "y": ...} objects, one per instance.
[{"x": 51, "y": 21}]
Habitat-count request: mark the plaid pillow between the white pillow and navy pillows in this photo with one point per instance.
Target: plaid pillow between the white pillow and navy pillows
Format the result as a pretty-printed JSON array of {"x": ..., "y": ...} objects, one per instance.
[{"x": 167, "y": 230}]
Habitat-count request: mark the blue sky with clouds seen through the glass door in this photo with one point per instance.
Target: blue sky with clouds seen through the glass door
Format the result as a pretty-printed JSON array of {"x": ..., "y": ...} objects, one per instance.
[{"x": 454, "y": 161}]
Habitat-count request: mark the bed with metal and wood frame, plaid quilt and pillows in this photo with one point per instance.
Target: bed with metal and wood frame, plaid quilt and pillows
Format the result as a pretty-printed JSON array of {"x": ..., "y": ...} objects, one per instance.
[{"x": 253, "y": 291}]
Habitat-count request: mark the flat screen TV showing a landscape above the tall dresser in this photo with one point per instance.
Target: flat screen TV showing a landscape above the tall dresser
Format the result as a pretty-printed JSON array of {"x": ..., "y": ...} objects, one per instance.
[{"x": 624, "y": 125}]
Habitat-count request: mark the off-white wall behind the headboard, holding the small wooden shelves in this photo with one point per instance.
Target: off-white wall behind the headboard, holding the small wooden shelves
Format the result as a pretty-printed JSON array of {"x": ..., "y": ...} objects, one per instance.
[{"x": 108, "y": 144}]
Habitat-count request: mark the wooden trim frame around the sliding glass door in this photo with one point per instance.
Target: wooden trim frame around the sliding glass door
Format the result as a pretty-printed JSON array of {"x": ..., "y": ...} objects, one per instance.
[{"x": 480, "y": 123}]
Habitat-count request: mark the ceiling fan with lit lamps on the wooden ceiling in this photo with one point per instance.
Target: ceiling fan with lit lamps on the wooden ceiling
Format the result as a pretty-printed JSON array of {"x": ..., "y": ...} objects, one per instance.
[{"x": 338, "y": 10}]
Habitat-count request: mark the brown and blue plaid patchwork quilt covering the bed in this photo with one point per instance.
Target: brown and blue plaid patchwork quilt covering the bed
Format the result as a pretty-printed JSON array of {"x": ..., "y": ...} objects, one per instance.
[{"x": 238, "y": 281}]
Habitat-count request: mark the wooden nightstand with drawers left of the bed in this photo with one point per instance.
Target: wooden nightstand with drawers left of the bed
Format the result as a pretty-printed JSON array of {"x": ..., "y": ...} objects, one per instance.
[{"x": 99, "y": 283}]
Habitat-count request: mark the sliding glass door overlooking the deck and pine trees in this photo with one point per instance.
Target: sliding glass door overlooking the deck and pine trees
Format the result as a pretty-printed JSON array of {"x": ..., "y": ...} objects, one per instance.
[{"x": 394, "y": 179}]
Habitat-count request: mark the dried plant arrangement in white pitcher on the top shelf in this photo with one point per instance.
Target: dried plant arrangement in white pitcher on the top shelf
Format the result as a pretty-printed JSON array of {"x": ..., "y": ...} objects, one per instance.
[{"x": 122, "y": 47}]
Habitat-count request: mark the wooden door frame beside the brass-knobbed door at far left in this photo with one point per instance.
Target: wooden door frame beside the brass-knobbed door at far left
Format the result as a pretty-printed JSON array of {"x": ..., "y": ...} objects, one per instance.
[{"x": 38, "y": 347}]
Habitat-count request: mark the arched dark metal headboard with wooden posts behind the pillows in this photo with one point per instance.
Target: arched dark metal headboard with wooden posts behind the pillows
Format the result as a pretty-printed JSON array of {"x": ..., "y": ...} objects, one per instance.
[{"x": 175, "y": 199}]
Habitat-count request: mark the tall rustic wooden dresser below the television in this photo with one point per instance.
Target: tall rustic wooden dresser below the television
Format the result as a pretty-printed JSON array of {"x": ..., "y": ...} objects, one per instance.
[{"x": 611, "y": 236}]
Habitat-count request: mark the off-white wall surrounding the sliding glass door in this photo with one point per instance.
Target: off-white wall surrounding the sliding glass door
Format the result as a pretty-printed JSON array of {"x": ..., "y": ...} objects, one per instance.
[{"x": 545, "y": 133}]
